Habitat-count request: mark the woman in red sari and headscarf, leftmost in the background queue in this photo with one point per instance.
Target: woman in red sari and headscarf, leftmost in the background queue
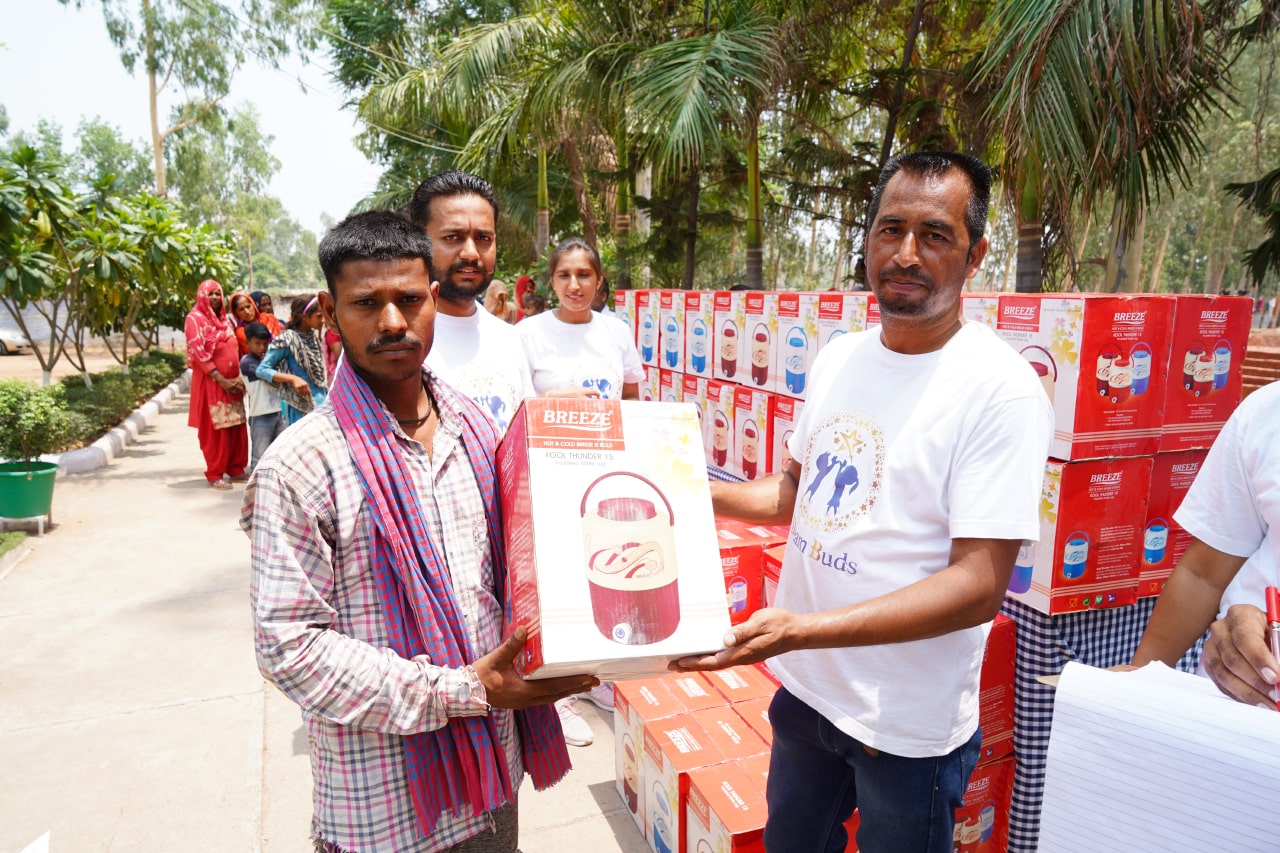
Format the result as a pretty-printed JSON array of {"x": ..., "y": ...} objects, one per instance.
[{"x": 217, "y": 389}]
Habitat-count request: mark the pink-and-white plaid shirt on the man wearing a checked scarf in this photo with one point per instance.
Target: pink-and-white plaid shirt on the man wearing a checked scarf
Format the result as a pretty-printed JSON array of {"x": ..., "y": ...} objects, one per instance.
[{"x": 321, "y": 636}]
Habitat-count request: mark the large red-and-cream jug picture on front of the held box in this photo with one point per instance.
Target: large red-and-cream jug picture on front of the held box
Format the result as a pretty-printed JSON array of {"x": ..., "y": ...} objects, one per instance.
[{"x": 632, "y": 569}]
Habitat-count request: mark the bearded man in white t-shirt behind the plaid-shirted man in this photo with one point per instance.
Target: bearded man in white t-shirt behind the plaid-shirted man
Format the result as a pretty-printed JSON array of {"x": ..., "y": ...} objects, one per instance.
[{"x": 474, "y": 352}]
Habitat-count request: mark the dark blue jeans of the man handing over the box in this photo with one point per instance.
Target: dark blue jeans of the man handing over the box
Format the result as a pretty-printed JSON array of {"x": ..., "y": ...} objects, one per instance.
[{"x": 819, "y": 776}]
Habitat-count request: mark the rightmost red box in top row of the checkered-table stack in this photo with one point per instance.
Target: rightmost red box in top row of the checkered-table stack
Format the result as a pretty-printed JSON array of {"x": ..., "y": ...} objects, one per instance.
[{"x": 1206, "y": 368}]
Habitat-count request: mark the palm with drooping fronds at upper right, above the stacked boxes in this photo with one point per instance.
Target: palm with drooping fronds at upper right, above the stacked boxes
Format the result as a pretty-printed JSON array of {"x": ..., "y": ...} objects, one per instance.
[{"x": 1101, "y": 98}]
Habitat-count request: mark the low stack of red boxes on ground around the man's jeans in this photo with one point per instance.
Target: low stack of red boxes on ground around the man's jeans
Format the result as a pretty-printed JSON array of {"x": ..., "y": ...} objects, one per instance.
[{"x": 692, "y": 758}]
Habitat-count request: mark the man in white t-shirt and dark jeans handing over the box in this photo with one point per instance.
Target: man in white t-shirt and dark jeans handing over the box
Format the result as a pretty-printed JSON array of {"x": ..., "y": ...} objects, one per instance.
[{"x": 917, "y": 472}]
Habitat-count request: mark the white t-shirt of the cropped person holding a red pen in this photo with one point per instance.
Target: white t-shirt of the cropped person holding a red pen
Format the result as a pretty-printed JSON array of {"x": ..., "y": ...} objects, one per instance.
[{"x": 1235, "y": 503}]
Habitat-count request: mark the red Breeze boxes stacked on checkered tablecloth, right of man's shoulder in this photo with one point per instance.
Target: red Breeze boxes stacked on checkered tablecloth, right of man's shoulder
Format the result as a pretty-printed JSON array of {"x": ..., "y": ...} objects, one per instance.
[{"x": 1141, "y": 385}]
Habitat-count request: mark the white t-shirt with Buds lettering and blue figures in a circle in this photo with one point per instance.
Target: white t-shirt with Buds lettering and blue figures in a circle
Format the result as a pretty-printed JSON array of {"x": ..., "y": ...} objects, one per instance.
[{"x": 903, "y": 454}]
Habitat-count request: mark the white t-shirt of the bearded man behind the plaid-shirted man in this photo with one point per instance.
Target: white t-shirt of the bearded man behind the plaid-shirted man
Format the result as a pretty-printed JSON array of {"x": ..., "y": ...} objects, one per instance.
[{"x": 482, "y": 357}]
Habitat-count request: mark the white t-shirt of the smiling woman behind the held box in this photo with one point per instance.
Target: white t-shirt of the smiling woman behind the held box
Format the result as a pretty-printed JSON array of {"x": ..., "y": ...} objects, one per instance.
[{"x": 592, "y": 355}]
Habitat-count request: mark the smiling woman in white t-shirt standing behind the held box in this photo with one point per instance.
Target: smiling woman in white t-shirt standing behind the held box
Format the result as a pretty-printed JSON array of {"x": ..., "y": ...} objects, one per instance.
[{"x": 573, "y": 350}]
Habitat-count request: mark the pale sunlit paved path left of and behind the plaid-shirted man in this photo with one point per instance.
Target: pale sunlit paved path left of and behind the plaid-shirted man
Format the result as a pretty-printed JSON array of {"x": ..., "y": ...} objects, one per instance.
[{"x": 132, "y": 715}]
